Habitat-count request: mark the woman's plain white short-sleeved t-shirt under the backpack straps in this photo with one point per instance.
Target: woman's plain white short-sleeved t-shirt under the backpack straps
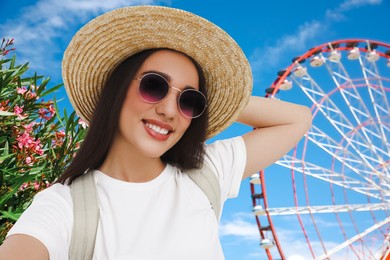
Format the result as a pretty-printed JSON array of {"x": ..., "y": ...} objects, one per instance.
[{"x": 168, "y": 217}]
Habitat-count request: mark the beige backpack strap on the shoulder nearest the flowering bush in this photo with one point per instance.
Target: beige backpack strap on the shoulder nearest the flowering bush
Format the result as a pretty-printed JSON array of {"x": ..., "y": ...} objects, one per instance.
[{"x": 85, "y": 217}]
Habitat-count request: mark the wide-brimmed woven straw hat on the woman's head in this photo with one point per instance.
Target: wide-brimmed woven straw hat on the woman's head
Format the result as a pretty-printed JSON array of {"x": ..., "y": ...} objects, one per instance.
[{"x": 109, "y": 39}]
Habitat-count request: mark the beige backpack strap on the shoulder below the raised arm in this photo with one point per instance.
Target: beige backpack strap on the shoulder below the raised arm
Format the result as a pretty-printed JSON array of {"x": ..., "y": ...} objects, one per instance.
[{"x": 209, "y": 184}]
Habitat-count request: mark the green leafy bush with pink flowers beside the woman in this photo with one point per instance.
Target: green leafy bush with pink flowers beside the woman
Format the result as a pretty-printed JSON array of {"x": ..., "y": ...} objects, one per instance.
[{"x": 36, "y": 141}]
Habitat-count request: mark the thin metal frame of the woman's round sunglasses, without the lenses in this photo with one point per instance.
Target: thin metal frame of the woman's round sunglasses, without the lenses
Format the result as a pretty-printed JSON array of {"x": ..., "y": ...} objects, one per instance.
[{"x": 169, "y": 88}]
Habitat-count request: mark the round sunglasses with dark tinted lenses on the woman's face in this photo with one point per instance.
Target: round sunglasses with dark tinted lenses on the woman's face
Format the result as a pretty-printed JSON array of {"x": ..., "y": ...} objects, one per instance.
[{"x": 153, "y": 88}]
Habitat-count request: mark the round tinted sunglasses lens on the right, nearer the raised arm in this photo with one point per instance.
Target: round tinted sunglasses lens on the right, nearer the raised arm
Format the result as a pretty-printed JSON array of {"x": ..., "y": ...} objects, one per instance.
[{"x": 192, "y": 103}]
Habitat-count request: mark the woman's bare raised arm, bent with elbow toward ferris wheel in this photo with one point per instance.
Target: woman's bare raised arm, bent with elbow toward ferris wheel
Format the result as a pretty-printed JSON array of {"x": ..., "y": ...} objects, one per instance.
[{"x": 278, "y": 127}]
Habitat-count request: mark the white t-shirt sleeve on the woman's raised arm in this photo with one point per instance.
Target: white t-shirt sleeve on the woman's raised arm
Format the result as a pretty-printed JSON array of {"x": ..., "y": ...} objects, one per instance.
[{"x": 228, "y": 159}]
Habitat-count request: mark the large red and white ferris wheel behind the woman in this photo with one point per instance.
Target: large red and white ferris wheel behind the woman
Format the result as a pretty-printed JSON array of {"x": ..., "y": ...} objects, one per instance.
[{"x": 329, "y": 198}]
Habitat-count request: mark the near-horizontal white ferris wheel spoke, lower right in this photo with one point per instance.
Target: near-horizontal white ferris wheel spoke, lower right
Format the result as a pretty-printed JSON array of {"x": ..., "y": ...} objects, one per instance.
[{"x": 327, "y": 209}]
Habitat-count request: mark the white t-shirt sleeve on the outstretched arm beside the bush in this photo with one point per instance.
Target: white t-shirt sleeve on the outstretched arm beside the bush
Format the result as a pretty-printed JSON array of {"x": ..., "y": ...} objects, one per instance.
[{"x": 49, "y": 219}]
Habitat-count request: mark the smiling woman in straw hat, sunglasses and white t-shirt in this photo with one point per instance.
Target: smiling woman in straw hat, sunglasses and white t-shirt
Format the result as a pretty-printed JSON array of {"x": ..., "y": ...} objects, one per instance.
[{"x": 154, "y": 83}]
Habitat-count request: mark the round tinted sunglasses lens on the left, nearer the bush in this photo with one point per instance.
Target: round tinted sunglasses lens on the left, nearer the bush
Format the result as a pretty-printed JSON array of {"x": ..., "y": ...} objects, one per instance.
[{"x": 153, "y": 88}]
